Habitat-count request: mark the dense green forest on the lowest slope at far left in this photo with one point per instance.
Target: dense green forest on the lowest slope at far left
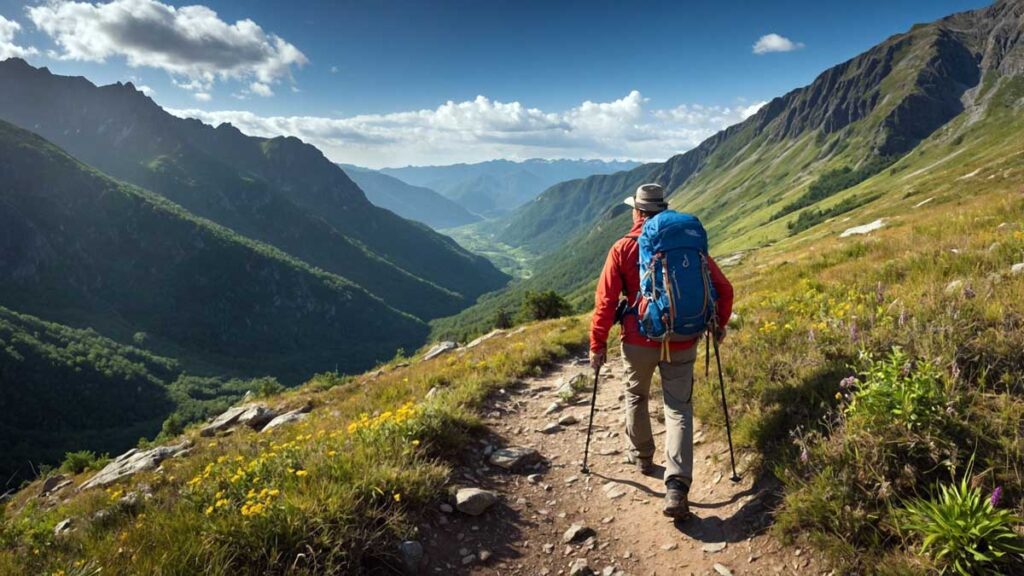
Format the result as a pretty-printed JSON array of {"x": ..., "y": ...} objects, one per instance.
[{"x": 65, "y": 390}]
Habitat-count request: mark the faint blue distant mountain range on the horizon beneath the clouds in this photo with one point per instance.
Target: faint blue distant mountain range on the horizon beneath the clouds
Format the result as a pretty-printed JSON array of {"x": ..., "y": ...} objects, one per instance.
[{"x": 493, "y": 189}]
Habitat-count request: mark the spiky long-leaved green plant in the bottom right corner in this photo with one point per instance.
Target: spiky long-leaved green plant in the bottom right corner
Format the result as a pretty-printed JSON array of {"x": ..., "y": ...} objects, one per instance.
[{"x": 966, "y": 532}]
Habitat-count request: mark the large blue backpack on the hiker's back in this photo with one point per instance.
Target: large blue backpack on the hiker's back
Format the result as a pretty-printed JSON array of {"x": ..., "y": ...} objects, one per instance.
[{"x": 677, "y": 299}]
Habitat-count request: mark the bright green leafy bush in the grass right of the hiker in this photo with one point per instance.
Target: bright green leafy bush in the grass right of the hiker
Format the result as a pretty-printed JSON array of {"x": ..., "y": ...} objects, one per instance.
[{"x": 899, "y": 391}]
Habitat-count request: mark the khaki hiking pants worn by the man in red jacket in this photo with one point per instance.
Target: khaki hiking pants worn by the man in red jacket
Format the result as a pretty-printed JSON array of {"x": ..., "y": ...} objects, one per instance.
[{"x": 677, "y": 388}]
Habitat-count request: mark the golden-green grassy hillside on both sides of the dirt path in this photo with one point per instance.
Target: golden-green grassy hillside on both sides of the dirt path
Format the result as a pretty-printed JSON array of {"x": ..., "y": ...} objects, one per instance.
[{"x": 859, "y": 435}]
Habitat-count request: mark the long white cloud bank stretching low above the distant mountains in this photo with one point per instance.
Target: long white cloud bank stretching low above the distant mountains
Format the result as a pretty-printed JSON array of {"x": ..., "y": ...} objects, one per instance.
[{"x": 484, "y": 130}]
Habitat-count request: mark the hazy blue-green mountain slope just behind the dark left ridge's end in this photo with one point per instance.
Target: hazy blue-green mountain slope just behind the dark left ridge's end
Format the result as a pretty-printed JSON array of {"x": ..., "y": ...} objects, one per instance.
[{"x": 411, "y": 202}]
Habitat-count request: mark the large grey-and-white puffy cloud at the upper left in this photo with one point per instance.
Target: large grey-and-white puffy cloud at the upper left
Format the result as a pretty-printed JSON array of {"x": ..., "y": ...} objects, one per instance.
[{"x": 192, "y": 44}]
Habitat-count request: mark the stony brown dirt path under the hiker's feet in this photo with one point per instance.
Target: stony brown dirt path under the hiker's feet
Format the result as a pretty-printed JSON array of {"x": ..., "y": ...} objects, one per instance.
[{"x": 524, "y": 534}]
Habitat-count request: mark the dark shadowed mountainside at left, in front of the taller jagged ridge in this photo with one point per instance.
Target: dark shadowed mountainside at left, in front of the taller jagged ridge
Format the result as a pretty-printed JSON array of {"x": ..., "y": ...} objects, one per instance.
[{"x": 86, "y": 251}]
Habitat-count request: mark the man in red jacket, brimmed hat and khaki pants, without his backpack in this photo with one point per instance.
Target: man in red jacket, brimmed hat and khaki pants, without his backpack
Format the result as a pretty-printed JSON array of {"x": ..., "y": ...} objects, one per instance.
[{"x": 642, "y": 356}]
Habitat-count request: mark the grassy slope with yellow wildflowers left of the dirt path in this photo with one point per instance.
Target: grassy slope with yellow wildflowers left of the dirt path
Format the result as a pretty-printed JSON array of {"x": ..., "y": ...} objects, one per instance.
[{"x": 331, "y": 496}]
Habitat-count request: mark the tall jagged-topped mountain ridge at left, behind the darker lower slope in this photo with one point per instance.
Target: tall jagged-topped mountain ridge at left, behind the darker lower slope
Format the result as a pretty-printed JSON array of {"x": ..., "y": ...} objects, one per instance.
[{"x": 278, "y": 191}]
